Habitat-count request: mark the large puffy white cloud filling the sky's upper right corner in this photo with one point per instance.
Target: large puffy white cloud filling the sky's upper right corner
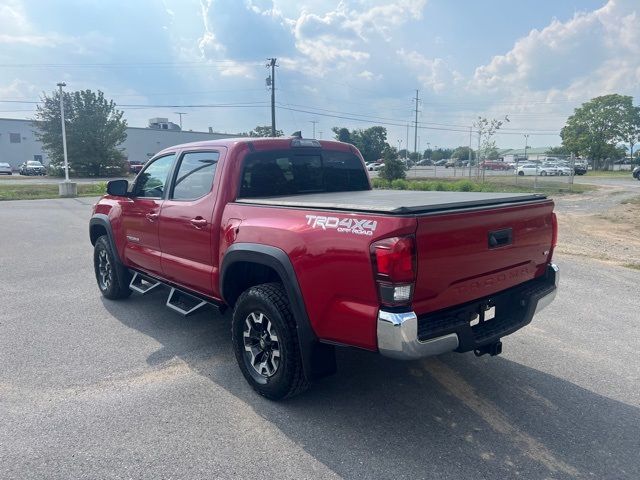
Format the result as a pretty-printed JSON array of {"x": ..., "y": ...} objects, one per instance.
[{"x": 591, "y": 53}]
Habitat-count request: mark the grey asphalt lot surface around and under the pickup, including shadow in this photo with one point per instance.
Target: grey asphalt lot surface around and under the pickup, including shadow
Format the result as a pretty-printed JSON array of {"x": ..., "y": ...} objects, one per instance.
[{"x": 91, "y": 388}]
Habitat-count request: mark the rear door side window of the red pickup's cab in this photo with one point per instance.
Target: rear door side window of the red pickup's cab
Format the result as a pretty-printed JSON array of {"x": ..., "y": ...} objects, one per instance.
[{"x": 195, "y": 175}]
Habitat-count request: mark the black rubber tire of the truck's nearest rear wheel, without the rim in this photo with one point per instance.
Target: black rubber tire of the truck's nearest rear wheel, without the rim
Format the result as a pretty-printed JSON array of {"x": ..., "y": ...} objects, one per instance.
[{"x": 271, "y": 300}]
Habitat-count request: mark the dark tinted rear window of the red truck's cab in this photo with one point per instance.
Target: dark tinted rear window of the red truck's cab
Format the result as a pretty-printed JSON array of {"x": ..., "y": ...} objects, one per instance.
[{"x": 267, "y": 174}]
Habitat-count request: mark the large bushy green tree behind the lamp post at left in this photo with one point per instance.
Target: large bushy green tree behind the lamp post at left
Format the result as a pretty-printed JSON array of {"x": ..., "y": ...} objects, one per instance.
[{"x": 94, "y": 128}]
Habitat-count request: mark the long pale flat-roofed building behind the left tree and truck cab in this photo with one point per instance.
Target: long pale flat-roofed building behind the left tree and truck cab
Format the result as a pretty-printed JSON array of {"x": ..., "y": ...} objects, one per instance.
[{"x": 18, "y": 142}]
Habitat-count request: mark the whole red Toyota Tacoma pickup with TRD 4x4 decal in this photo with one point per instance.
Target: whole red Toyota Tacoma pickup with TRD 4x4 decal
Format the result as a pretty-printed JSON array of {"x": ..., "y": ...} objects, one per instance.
[{"x": 290, "y": 235}]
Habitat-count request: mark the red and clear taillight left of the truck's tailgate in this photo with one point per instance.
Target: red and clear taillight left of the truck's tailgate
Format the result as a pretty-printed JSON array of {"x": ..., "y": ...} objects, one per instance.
[{"x": 394, "y": 266}]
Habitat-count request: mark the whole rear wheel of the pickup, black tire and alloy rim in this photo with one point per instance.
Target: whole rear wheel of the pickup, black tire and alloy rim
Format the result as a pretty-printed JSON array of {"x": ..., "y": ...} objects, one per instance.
[{"x": 265, "y": 342}]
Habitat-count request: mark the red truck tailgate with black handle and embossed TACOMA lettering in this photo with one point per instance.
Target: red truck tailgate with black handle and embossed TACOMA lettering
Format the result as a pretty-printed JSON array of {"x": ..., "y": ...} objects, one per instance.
[{"x": 466, "y": 255}]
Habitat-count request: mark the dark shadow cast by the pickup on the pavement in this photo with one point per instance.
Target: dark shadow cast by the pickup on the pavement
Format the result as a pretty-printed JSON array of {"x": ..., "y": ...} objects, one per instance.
[{"x": 455, "y": 416}]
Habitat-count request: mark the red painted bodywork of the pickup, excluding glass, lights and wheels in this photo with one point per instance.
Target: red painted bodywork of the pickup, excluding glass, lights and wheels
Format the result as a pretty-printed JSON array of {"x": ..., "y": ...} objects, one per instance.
[{"x": 333, "y": 269}]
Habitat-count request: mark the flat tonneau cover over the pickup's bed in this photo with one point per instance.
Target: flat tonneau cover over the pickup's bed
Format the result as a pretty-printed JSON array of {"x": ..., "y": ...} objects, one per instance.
[{"x": 392, "y": 202}]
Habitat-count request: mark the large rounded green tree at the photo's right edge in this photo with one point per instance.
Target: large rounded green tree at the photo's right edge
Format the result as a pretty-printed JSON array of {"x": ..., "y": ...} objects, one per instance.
[{"x": 597, "y": 126}]
